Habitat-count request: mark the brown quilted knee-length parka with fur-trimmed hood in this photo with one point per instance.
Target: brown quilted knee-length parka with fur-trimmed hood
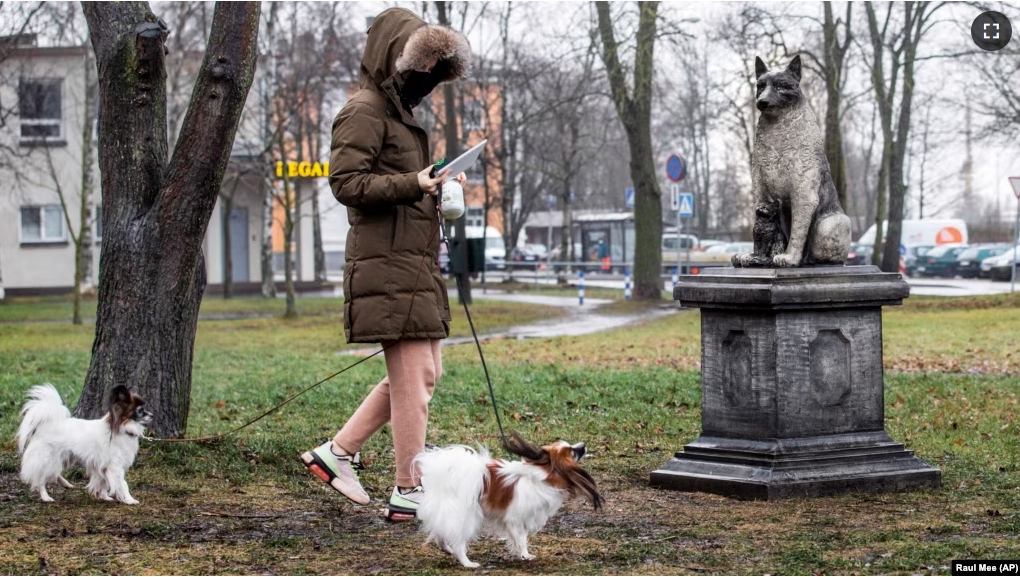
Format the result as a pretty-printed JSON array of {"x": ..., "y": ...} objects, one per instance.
[{"x": 393, "y": 288}]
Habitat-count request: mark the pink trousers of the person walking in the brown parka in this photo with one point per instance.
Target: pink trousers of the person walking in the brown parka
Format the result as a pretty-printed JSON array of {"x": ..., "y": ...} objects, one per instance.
[{"x": 401, "y": 399}]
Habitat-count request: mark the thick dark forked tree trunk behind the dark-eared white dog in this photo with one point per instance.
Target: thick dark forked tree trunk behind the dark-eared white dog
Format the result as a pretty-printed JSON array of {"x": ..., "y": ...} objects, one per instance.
[{"x": 156, "y": 214}]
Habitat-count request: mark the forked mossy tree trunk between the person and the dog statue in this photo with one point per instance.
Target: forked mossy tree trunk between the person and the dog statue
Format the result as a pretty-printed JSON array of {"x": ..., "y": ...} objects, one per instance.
[{"x": 636, "y": 115}]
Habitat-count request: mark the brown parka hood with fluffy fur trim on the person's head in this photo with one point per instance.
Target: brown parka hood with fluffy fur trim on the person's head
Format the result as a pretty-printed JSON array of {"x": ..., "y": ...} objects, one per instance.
[{"x": 400, "y": 42}]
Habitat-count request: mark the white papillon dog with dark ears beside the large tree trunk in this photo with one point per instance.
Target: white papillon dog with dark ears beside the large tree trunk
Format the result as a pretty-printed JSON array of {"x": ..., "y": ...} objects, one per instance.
[{"x": 50, "y": 441}]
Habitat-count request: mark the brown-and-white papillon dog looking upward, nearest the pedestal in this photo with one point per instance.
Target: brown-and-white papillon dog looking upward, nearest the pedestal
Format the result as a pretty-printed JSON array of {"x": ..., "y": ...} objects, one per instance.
[{"x": 468, "y": 494}]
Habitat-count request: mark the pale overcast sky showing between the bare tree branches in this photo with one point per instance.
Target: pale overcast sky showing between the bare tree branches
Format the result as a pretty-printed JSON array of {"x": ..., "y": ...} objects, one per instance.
[{"x": 553, "y": 28}]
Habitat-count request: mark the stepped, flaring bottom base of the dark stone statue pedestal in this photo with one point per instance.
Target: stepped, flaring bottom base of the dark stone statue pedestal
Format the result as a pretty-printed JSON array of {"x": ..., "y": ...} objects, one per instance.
[{"x": 766, "y": 470}]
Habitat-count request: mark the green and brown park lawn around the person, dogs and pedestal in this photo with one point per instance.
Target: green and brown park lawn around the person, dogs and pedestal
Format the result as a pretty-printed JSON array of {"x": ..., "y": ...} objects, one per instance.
[{"x": 246, "y": 506}]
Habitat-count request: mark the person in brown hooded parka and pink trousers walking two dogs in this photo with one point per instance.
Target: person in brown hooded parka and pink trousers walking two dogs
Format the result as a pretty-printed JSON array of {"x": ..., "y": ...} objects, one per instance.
[{"x": 394, "y": 293}]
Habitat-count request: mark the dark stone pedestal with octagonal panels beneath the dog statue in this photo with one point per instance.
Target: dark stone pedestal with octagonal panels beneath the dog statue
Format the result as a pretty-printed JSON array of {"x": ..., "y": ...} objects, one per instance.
[{"x": 792, "y": 386}]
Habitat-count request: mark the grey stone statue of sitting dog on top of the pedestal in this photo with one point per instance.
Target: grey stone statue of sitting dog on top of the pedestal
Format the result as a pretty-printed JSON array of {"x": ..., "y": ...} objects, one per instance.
[{"x": 798, "y": 218}]
